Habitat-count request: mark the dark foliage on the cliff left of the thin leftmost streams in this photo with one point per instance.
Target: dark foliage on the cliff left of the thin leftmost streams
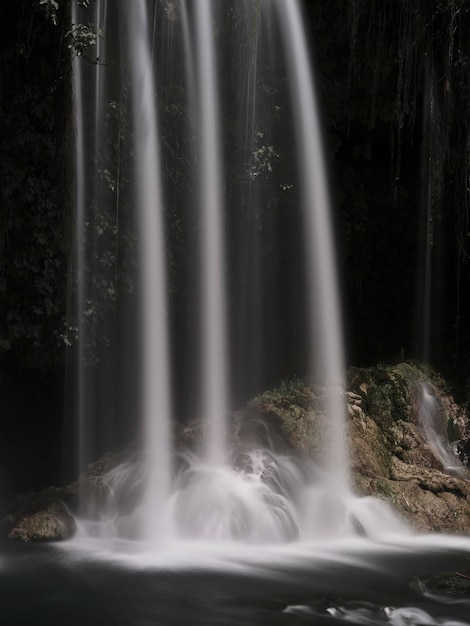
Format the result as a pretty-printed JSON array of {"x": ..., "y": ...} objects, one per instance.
[{"x": 34, "y": 210}]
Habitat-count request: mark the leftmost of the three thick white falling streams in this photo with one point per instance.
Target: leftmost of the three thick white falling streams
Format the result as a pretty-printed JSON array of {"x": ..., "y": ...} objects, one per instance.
[{"x": 156, "y": 389}]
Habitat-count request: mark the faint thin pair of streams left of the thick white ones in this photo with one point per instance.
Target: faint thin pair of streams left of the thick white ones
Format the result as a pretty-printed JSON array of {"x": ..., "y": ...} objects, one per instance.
[{"x": 94, "y": 366}]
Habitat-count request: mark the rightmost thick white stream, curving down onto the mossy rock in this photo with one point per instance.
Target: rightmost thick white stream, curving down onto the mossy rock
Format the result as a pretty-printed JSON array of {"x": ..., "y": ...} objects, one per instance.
[{"x": 323, "y": 297}]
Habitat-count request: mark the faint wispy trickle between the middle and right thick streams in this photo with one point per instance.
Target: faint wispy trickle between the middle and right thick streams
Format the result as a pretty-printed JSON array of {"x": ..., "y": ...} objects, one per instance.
[{"x": 251, "y": 325}]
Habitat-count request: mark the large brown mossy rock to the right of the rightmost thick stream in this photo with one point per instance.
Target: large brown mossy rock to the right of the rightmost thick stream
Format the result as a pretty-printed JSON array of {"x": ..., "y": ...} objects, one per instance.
[{"x": 397, "y": 463}]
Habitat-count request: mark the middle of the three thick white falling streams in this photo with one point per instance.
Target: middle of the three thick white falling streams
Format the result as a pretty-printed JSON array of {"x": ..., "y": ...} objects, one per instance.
[{"x": 213, "y": 307}]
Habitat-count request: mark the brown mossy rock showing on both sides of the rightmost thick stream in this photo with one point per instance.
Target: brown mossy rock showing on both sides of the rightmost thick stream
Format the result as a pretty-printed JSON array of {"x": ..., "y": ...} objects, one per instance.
[{"x": 390, "y": 457}]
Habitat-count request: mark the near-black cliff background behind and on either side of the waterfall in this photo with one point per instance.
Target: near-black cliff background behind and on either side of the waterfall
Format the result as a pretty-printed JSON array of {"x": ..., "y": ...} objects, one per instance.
[{"x": 393, "y": 80}]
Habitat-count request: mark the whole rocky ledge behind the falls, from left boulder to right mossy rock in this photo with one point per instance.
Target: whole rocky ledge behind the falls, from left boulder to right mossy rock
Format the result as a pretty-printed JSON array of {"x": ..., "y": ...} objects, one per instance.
[{"x": 396, "y": 451}]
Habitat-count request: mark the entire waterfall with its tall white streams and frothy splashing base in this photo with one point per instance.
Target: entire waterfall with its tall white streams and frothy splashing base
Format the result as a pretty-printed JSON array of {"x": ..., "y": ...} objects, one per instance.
[{"x": 216, "y": 156}]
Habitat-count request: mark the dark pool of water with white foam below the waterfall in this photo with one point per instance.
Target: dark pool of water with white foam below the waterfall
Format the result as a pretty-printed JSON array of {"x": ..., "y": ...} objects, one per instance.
[{"x": 133, "y": 584}]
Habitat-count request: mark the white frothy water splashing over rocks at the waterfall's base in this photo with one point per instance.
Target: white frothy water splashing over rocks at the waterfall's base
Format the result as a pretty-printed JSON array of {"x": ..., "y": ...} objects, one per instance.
[{"x": 260, "y": 498}]
